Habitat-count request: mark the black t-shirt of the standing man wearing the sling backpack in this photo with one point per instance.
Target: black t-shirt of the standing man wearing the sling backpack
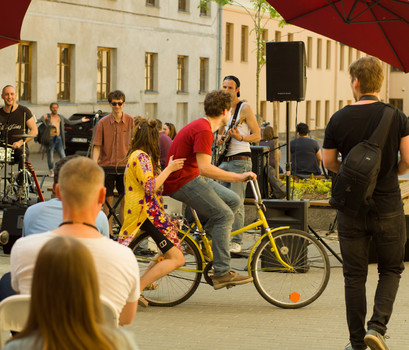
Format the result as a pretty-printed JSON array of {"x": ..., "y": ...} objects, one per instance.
[{"x": 356, "y": 123}]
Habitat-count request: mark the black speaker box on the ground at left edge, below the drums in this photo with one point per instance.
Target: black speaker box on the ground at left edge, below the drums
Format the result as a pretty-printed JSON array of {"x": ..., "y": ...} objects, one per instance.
[{"x": 13, "y": 223}]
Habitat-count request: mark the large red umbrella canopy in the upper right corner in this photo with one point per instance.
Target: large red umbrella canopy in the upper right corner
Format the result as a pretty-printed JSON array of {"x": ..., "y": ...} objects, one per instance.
[{"x": 377, "y": 27}]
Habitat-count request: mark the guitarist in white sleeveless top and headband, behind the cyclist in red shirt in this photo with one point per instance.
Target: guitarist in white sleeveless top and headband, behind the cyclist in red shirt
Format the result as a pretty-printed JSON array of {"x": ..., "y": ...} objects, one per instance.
[{"x": 241, "y": 129}]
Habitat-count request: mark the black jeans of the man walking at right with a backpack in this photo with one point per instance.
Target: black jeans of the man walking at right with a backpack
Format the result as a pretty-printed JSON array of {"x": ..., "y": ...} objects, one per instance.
[{"x": 388, "y": 231}]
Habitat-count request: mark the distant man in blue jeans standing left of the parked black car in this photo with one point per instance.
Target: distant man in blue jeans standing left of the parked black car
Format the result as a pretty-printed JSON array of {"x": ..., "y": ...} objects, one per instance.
[{"x": 51, "y": 134}]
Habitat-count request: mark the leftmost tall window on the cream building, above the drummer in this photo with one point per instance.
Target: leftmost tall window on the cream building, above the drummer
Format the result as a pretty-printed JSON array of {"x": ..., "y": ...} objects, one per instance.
[{"x": 23, "y": 71}]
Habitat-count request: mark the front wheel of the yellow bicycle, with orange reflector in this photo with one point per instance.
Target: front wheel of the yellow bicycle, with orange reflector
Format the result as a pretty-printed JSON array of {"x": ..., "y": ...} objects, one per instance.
[{"x": 280, "y": 287}]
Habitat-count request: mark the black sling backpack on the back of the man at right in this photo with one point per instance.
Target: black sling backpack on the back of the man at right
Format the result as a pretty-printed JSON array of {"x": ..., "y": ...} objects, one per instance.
[{"x": 353, "y": 185}]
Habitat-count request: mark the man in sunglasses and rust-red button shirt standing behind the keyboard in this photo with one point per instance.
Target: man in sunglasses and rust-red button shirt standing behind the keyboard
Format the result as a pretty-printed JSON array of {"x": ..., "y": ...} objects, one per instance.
[{"x": 111, "y": 144}]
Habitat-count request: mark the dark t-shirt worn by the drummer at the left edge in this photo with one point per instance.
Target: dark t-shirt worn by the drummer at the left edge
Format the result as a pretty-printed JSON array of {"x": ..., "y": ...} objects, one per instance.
[{"x": 15, "y": 123}]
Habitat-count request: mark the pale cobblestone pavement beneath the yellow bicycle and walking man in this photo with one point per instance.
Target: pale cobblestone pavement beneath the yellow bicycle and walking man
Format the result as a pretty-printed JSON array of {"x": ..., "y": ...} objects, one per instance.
[{"x": 239, "y": 318}]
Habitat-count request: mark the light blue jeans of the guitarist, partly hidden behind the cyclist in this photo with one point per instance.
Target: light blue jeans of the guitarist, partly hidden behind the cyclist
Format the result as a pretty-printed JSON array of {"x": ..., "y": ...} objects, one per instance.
[{"x": 238, "y": 167}]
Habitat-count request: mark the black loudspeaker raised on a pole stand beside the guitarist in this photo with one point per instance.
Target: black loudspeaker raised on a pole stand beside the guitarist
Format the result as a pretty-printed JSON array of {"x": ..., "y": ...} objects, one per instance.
[{"x": 286, "y": 71}]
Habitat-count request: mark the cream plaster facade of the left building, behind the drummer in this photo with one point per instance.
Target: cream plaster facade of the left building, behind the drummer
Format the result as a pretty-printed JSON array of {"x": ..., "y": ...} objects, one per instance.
[{"x": 161, "y": 53}]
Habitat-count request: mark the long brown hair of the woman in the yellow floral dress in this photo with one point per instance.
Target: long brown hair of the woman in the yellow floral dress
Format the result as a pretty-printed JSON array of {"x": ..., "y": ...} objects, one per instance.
[{"x": 146, "y": 138}]
